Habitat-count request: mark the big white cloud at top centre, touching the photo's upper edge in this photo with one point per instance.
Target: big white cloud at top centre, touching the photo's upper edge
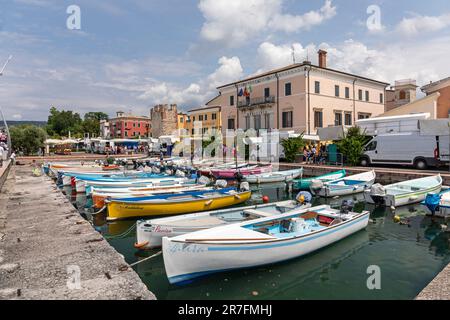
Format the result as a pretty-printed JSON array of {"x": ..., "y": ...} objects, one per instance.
[{"x": 235, "y": 21}]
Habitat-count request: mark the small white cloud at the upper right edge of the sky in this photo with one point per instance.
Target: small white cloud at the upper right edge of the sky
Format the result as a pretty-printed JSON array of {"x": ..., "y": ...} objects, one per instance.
[{"x": 421, "y": 24}]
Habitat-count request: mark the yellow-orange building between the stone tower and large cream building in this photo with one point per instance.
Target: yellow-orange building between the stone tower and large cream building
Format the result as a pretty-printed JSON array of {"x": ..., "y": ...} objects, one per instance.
[{"x": 209, "y": 118}]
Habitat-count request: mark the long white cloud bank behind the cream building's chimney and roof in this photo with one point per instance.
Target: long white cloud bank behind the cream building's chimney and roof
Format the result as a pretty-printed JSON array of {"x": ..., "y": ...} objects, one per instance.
[{"x": 424, "y": 61}]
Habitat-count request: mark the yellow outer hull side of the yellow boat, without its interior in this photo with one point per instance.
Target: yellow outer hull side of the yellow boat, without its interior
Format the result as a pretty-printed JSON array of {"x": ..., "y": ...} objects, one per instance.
[{"x": 125, "y": 210}]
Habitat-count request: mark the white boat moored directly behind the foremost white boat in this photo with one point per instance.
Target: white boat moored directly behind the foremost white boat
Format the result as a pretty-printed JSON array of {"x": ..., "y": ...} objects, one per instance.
[{"x": 149, "y": 233}]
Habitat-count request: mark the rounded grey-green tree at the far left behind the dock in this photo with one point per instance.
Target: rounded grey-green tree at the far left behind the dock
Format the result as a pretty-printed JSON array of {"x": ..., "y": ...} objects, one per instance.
[{"x": 28, "y": 138}]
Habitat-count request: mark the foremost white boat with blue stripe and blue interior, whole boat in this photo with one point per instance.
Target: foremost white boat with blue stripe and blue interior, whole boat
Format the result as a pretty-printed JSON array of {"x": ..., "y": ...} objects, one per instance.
[{"x": 259, "y": 242}]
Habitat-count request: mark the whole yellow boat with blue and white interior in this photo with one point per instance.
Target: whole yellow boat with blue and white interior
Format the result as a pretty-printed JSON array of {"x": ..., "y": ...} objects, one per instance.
[{"x": 175, "y": 204}]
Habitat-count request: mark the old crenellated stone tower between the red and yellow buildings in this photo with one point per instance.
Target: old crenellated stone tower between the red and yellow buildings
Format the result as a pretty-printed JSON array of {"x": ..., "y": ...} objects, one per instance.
[{"x": 164, "y": 120}]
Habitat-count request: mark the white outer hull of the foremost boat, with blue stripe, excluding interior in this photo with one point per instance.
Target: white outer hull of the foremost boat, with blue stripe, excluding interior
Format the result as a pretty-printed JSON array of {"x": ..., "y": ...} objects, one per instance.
[{"x": 186, "y": 261}]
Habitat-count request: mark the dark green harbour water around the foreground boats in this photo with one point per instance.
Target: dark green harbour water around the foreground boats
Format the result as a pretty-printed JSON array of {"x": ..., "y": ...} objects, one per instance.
[{"x": 409, "y": 258}]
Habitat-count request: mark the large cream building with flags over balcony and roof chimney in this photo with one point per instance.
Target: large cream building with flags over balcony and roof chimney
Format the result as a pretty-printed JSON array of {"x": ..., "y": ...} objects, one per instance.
[{"x": 300, "y": 97}]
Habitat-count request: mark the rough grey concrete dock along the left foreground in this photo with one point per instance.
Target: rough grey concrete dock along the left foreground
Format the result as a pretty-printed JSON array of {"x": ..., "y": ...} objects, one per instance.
[{"x": 48, "y": 251}]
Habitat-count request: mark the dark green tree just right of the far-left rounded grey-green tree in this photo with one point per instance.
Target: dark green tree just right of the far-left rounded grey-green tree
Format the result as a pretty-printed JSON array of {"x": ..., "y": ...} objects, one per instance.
[{"x": 62, "y": 122}]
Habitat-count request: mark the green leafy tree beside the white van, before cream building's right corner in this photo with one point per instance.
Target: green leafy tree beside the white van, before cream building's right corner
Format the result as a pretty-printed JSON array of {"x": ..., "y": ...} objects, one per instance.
[{"x": 352, "y": 145}]
